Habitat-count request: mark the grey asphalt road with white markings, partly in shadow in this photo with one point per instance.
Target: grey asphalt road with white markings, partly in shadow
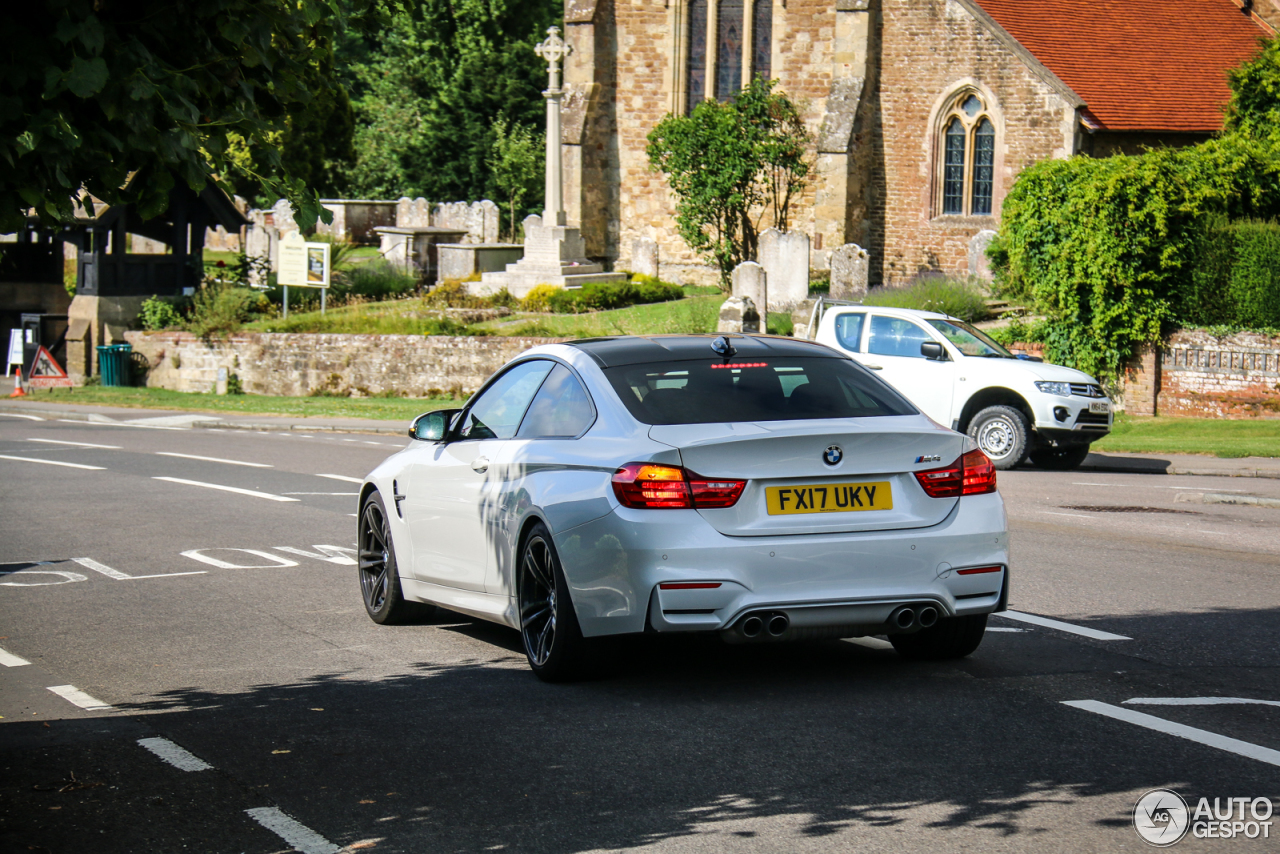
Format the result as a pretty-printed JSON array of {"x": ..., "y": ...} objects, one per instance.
[{"x": 225, "y": 632}]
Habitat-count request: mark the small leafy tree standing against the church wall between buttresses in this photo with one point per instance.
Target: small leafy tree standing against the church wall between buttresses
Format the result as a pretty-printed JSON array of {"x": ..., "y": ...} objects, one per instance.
[{"x": 730, "y": 166}]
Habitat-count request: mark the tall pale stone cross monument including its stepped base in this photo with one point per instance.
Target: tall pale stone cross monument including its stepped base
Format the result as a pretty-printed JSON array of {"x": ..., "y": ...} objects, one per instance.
[{"x": 554, "y": 252}]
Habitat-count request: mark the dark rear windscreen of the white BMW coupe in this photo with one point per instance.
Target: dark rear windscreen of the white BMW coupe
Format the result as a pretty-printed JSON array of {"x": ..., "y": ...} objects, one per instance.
[{"x": 769, "y": 390}]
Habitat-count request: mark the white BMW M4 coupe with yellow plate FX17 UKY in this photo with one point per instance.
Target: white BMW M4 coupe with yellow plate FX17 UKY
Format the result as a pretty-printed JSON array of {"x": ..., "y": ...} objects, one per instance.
[{"x": 764, "y": 488}]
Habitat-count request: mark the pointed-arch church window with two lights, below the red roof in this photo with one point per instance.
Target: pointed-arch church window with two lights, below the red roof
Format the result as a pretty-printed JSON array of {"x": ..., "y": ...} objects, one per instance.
[{"x": 967, "y": 162}]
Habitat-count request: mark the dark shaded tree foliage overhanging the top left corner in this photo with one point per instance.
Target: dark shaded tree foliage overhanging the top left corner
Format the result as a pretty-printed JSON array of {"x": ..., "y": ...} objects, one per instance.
[{"x": 93, "y": 92}]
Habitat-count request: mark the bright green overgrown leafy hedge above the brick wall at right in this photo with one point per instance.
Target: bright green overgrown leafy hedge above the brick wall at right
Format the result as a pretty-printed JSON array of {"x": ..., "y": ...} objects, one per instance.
[{"x": 1112, "y": 248}]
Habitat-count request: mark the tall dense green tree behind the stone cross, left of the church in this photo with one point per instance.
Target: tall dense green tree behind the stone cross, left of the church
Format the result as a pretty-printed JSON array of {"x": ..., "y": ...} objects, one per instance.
[{"x": 429, "y": 89}]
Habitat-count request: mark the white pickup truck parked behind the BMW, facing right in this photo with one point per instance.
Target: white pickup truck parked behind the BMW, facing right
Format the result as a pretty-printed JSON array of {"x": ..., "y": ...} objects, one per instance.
[{"x": 1016, "y": 408}]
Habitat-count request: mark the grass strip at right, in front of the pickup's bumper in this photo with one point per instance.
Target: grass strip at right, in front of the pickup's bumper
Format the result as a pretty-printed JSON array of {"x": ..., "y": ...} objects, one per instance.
[{"x": 1213, "y": 437}]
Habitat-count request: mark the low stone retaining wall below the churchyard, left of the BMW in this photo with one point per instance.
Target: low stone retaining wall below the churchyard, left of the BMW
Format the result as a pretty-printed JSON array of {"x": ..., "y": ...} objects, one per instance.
[{"x": 300, "y": 366}]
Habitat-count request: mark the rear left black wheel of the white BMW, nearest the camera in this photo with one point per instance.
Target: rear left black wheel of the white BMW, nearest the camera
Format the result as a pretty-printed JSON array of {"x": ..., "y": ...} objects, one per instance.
[{"x": 548, "y": 627}]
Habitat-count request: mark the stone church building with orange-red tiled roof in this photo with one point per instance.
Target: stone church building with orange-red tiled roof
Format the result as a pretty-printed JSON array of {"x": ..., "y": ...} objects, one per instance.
[{"x": 924, "y": 112}]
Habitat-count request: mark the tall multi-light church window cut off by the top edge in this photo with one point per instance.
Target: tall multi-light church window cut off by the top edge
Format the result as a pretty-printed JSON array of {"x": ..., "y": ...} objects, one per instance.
[{"x": 725, "y": 44}]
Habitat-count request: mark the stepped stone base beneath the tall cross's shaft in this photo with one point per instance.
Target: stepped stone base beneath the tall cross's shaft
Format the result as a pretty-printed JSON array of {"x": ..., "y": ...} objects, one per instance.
[{"x": 554, "y": 255}]
